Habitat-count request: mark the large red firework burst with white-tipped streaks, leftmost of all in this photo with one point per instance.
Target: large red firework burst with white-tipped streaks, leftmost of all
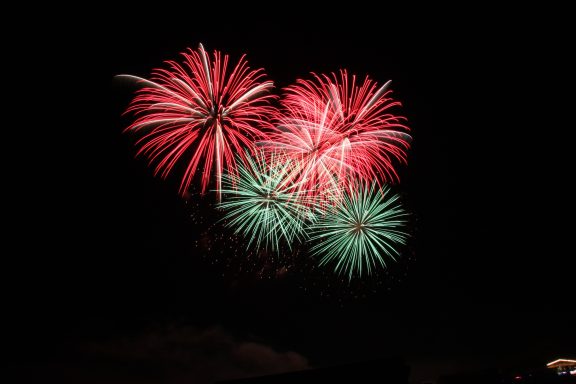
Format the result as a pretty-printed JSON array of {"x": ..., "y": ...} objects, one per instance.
[{"x": 201, "y": 113}]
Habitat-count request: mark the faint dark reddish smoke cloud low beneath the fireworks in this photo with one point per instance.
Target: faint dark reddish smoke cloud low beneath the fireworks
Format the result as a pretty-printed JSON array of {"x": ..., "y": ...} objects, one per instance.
[{"x": 179, "y": 354}]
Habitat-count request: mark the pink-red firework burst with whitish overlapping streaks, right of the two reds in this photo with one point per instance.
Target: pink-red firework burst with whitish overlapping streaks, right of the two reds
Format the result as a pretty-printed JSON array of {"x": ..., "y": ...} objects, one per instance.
[{"x": 340, "y": 131}]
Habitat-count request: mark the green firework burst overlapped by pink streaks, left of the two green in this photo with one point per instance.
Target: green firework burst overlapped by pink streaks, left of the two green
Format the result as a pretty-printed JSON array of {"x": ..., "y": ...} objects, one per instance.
[{"x": 263, "y": 204}]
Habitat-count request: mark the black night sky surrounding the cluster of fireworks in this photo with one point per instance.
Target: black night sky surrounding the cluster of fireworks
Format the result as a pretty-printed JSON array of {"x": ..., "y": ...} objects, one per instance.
[{"x": 112, "y": 278}]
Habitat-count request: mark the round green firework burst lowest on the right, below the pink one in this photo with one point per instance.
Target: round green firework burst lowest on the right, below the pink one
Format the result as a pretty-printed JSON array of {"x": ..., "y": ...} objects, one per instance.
[{"x": 361, "y": 232}]
